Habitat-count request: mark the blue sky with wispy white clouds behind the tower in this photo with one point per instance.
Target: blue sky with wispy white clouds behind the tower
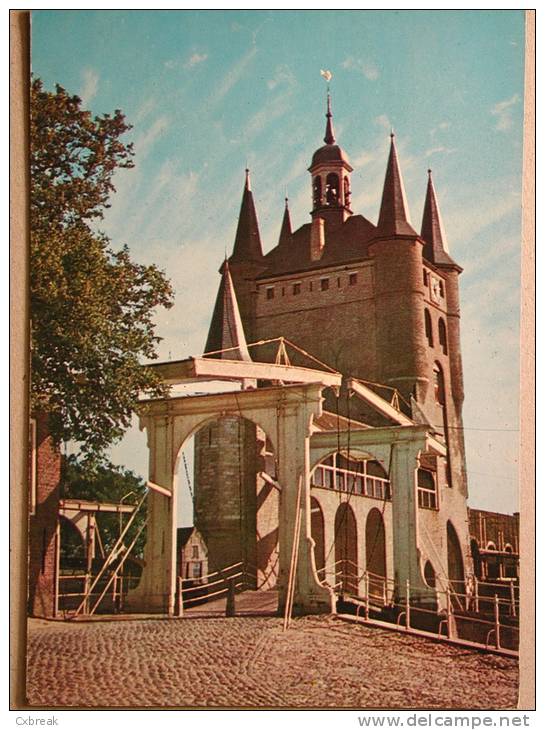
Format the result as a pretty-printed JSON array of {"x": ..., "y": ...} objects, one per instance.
[{"x": 210, "y": 92}]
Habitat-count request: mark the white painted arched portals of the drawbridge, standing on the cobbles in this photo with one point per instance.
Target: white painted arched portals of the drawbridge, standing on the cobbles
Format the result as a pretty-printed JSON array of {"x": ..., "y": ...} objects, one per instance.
[{"x": 287, "y": 414}]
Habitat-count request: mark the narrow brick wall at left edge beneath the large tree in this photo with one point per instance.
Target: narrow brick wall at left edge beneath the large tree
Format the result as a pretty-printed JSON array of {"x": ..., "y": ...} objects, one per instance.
[{"x": 42, "y": 524}]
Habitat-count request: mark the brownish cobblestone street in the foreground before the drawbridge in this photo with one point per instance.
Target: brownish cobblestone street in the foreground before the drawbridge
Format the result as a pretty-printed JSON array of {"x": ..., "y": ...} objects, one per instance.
[{"x": 250, "y": 662}]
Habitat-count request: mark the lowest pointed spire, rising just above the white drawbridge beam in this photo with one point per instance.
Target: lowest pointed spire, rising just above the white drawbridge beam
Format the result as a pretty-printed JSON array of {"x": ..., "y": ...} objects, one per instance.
[{"x": 226, "y": 330}]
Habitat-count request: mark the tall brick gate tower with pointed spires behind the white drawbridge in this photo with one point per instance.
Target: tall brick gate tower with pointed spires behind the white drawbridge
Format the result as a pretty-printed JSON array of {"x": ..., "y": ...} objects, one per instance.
[{"x": 376, "y": 302}]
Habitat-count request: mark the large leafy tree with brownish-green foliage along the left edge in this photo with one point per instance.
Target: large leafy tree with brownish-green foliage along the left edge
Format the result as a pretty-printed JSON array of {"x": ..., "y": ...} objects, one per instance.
[{"x": 92, "y": 307}]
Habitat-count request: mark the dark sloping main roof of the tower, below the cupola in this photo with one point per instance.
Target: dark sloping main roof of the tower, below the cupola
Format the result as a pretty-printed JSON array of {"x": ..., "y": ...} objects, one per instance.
[{"x": 344, "y": 243}]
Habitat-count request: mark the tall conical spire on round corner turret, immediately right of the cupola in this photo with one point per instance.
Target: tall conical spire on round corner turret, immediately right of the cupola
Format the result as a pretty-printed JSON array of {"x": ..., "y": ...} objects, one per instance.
[{"x": 394, "y": 212}]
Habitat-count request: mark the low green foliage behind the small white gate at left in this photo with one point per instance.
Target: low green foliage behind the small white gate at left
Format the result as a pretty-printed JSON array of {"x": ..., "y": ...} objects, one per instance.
[{"x": 104, "y": 482}]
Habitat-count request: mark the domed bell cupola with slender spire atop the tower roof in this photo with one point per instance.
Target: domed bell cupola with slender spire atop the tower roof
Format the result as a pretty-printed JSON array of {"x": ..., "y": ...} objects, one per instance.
[{"x": 330, "y": 171}]
